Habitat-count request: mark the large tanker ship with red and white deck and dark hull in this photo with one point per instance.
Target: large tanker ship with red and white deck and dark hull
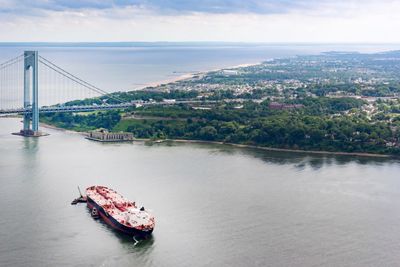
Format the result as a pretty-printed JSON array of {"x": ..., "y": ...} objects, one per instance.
[{"x": 118, "y": 212}]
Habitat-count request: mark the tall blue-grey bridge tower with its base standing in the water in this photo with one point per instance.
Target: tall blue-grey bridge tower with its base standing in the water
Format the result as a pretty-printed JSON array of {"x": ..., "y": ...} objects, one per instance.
[{"x": 31, "y": 84}]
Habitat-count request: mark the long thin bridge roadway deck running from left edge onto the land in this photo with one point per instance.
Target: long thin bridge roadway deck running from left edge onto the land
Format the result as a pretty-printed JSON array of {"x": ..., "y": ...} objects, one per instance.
[{"x": 53, "y": 109}]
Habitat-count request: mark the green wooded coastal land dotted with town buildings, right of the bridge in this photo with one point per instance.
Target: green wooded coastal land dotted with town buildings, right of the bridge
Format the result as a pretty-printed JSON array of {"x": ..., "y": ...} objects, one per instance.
[{"x": 332, "y": 102}]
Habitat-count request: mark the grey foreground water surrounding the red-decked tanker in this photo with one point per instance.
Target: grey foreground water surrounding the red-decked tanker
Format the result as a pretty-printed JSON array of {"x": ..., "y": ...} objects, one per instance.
[{"x": 214, "y": 205}]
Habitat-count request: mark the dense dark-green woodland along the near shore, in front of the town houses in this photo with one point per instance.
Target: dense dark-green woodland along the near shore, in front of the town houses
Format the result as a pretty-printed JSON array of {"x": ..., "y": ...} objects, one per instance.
[{"x": 319, "y": 125}]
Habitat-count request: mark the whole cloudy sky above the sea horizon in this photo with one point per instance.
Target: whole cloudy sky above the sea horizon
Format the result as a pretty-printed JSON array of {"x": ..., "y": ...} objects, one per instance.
[{"x": 351, "y": 21}]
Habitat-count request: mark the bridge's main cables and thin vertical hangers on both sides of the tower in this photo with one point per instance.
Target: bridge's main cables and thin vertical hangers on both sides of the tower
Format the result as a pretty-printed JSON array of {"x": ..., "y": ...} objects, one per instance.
[{"x": 56, "y": 86}]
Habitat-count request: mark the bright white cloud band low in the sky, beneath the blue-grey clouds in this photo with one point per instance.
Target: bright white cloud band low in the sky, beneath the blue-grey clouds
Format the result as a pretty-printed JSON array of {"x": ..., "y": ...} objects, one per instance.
[{"x": 350, "y": 21}]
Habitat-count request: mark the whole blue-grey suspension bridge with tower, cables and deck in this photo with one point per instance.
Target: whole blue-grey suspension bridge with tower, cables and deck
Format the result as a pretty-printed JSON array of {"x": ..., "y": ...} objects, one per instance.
[{"x": 29, "y": 77}]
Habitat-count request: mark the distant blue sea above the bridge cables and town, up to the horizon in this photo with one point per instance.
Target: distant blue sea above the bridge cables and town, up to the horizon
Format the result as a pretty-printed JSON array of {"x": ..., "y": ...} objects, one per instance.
[{"x": 129, "y": 66}]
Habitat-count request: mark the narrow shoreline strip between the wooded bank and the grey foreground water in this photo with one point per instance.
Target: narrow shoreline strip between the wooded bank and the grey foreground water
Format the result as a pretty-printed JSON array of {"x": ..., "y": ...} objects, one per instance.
[{"x": 191, "y": 141}]
